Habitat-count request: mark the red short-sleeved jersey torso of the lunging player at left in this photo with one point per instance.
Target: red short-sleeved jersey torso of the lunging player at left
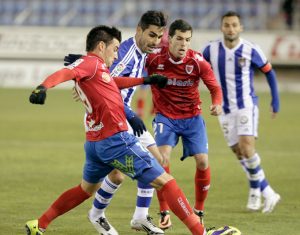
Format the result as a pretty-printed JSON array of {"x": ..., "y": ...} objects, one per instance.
[{"x": 105, "y": 114}]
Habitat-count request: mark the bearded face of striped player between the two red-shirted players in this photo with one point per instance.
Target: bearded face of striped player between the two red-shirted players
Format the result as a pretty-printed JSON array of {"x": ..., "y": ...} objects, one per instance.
[{"x": 150, "y": 38}]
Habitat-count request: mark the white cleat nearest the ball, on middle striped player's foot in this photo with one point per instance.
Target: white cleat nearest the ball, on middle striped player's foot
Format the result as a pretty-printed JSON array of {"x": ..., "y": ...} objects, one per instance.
[{"x": 146, "y": 225}]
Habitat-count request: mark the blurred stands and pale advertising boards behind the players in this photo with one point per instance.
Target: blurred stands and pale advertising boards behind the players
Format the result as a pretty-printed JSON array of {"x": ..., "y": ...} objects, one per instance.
[{"x": 36, "y": 34}]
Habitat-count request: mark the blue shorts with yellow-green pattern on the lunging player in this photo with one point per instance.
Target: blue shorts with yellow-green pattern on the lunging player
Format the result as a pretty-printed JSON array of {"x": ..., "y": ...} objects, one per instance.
[{"x": 121, "y": 151}]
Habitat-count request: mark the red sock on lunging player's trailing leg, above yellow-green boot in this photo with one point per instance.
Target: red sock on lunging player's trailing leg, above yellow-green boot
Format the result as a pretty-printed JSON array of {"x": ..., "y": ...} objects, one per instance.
[{"x": 66, "y": 201}]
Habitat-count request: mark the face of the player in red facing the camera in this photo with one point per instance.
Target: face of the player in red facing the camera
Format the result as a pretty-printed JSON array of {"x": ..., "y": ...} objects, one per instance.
[{"x": 180, "y": 43}]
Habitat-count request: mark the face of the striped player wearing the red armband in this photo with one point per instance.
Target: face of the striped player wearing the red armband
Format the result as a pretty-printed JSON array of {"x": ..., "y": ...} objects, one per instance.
[{"x": 231, "y": 28}]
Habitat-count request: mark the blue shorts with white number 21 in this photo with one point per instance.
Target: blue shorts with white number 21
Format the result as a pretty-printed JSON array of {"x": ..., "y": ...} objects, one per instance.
[{"x": 191, "y": 130}]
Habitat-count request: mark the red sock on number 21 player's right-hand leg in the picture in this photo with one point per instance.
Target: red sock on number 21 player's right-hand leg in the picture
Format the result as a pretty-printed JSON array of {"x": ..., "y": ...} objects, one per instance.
[{"x": 202, "y": 183}]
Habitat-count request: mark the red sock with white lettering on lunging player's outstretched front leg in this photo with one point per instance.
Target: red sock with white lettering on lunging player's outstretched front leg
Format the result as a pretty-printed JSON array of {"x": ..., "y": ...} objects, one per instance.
[{"x": 181, "y": 208}]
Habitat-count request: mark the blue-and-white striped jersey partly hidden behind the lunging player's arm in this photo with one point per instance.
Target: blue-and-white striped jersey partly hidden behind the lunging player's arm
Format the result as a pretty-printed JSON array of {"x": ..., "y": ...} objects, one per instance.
[{"x": 130, "y": 63}]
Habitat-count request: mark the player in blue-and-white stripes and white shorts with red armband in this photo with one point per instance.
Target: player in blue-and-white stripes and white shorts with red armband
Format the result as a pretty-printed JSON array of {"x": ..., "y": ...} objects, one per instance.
[{"x": 233, "y": 60}]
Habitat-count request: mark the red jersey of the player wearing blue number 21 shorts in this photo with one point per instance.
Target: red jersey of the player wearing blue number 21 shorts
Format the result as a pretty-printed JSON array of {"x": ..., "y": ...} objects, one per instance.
[{"x": 181, "y": 97}]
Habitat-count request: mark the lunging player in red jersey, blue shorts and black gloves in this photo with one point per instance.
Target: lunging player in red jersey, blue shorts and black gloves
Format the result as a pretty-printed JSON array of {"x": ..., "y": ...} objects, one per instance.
[{"x": 108, "y": 144}]
